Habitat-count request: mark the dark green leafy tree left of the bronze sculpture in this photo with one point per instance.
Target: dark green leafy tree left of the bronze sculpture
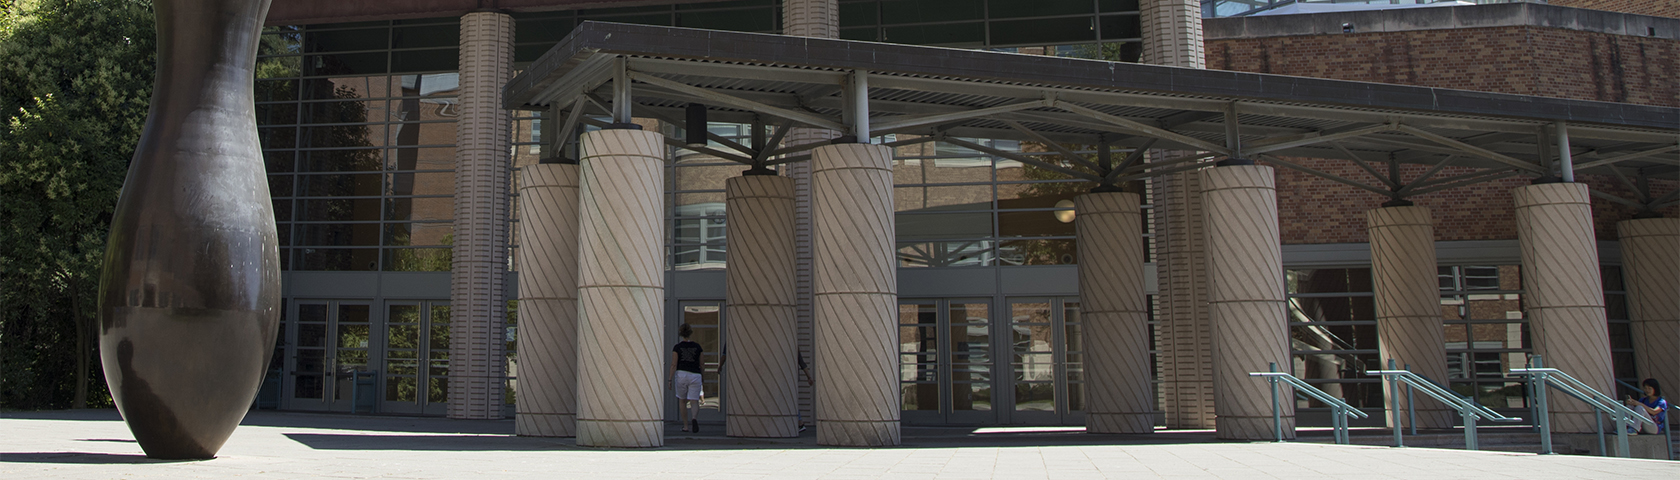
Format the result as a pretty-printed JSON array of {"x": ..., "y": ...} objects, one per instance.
[{"x": 75, "y": 85}]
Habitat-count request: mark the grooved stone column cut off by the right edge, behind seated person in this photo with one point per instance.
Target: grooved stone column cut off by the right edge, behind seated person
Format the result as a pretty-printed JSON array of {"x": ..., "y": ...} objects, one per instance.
[{"x": 1651, "y": 268}]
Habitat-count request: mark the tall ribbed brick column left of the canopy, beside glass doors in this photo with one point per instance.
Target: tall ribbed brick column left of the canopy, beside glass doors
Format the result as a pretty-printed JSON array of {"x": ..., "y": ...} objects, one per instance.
[{"x": 478, "y": 363}]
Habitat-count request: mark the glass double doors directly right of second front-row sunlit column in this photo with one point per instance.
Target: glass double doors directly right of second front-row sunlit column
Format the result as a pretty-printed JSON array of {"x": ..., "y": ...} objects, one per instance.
[{"x": 947, "y": 362}]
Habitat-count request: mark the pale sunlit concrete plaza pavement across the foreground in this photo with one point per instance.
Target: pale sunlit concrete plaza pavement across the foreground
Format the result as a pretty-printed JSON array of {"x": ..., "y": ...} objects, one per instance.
[{"x": 95, "y": 444}]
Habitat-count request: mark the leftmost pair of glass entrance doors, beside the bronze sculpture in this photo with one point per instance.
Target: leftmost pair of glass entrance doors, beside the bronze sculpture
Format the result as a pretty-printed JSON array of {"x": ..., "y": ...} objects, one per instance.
[{"x": 328, "y": 345}]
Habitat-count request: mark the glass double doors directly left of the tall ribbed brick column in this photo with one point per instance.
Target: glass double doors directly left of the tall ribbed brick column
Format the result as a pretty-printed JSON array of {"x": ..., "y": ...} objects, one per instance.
[{"x": 416, "y": 350}]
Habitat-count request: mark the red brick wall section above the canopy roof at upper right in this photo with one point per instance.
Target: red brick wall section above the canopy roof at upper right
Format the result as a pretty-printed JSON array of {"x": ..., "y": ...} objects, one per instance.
[{"x": 1528, "y": 61}]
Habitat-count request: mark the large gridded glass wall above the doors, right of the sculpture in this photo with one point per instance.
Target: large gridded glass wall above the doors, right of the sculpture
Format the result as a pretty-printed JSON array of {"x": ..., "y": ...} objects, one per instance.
[{"x": 359, "y": 135}]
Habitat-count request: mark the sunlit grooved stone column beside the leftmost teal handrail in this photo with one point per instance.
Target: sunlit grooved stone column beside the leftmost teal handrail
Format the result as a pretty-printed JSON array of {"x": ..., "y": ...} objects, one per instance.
[{"x": 1246, "y": 300}]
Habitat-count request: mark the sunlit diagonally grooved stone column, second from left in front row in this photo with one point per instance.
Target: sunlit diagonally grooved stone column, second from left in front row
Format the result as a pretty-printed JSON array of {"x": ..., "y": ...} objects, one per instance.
[{"x": 856, "y": 291}]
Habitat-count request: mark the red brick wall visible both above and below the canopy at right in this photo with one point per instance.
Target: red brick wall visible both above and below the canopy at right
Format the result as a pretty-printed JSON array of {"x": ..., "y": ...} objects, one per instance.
[{"x": 1553, "y": 63}]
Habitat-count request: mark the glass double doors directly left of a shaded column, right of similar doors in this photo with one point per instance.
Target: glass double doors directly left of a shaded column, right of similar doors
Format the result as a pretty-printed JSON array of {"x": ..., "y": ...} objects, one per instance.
[{"x": 1046, "y": 362}]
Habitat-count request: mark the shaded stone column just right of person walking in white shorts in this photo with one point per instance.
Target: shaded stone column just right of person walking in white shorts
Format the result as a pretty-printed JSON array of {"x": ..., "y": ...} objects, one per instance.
[{"x": 764, "y": 367}]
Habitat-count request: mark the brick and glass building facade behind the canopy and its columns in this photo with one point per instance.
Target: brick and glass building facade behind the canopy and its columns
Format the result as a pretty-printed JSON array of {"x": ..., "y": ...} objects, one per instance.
[{"x": 364, "y": 127}]
